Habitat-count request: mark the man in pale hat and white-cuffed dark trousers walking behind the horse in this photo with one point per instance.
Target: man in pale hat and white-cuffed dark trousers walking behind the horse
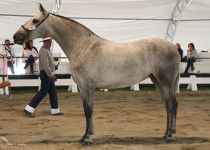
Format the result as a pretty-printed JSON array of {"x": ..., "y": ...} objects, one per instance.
[{"x": 46, "y": 67}]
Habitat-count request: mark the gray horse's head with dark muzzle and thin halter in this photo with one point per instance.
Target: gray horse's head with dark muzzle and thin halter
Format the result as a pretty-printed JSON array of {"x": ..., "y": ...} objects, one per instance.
[{"x": 33, "y": 28}]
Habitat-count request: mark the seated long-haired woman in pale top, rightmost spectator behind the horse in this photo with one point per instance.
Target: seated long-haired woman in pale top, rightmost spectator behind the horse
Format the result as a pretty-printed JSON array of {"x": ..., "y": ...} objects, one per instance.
[{"x": 191, "y": 56}]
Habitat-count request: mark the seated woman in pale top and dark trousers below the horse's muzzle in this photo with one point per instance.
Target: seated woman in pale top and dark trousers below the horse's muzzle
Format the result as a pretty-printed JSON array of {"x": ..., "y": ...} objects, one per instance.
[{"x": 29, "y": 55}]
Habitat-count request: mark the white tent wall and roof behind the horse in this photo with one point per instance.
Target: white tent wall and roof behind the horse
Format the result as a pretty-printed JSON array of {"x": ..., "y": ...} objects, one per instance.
[{"x": 184, "y": 21}]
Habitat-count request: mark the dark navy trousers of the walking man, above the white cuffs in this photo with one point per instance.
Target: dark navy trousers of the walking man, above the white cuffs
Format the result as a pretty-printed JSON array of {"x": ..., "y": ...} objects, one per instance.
[{"x": 47, "y": 86}]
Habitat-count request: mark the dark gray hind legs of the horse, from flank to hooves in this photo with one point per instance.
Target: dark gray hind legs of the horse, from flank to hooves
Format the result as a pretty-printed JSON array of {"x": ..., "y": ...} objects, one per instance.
[{"x": 168, "y": 94}]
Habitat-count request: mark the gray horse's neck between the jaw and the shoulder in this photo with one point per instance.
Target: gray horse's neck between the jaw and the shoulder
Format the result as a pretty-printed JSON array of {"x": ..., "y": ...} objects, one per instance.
[{"x": 71, "y": 37}]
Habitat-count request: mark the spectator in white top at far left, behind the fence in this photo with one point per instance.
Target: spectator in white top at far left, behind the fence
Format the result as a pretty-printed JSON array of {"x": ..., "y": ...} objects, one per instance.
[{"x": 9, "y": 54}]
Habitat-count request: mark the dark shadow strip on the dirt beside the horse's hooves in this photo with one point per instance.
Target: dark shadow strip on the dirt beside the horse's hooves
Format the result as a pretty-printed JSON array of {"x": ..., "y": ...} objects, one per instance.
[{"x": 126, "y": 141}]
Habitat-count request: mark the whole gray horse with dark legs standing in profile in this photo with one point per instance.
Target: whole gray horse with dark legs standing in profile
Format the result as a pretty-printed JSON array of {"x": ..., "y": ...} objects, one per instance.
[{"x": 99, "y": 63}]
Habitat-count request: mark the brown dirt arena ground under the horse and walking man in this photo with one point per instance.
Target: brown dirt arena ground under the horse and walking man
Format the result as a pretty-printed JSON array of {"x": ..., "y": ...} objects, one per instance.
[{"x": 124, "y": 120}]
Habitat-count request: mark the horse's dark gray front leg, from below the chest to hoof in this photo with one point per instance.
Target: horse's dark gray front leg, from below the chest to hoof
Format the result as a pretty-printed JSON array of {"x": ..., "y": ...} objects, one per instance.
[{"x": 88, "y": 100}]
